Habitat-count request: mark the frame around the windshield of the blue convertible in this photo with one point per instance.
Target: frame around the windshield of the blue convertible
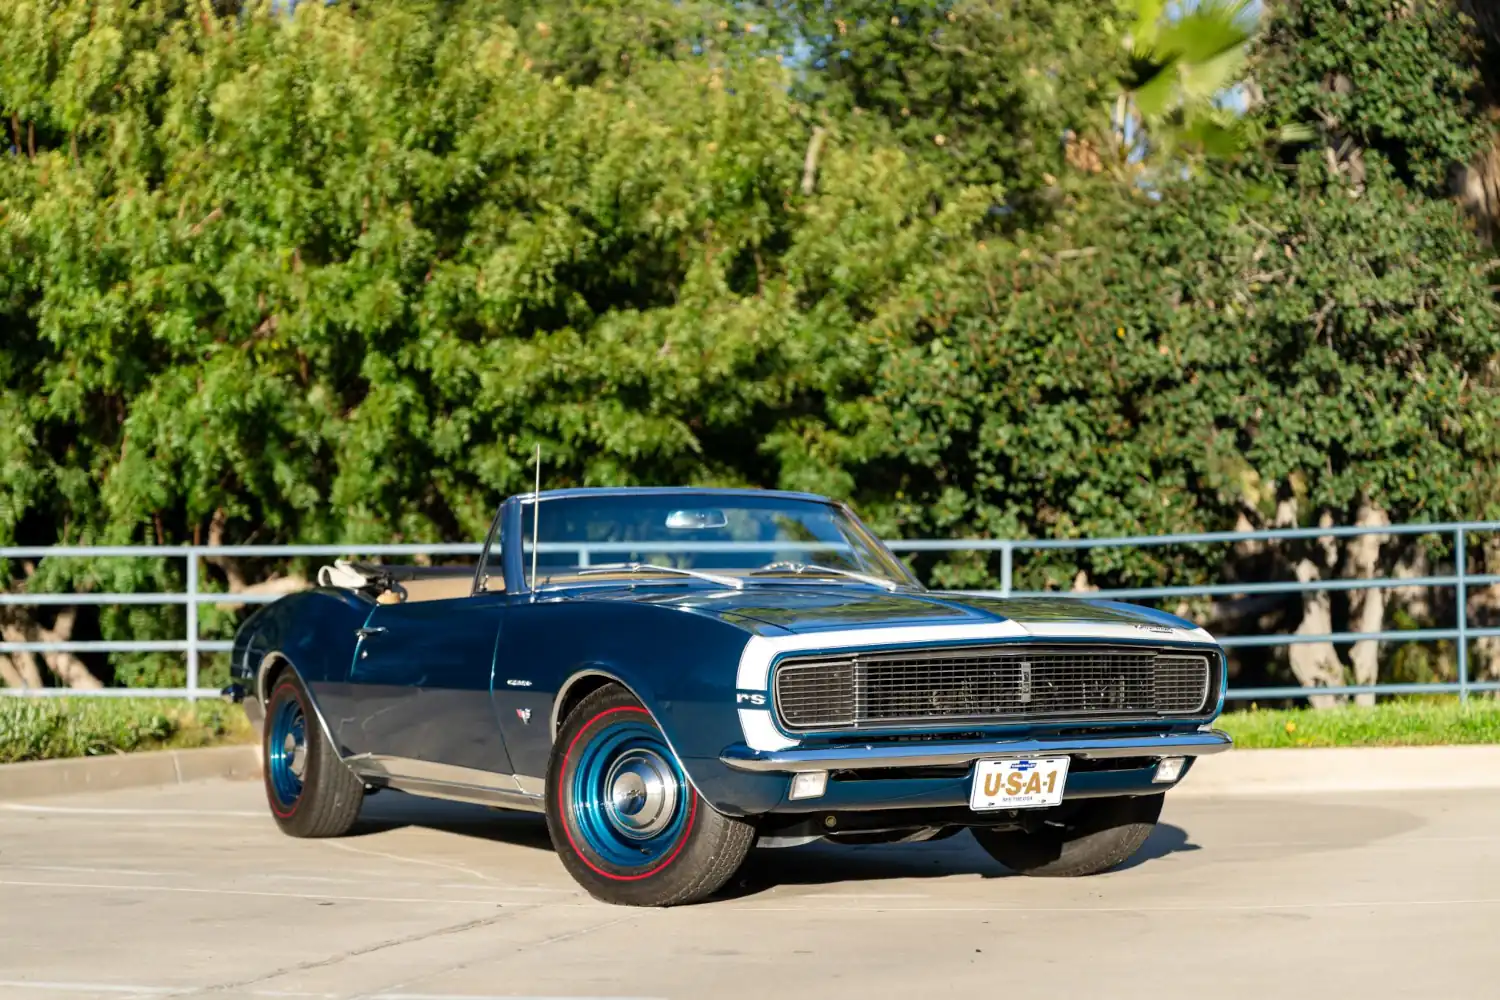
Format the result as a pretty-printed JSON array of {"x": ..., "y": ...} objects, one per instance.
[{"x": 515, "y": 524}]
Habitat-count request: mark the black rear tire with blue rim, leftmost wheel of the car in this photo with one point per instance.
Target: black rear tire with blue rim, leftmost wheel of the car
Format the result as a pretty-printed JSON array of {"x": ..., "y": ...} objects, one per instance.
[{"x": 328, "y": 800}]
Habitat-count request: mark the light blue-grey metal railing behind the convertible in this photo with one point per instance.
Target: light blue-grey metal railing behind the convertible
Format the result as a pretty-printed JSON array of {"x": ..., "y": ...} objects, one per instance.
[{"x": 193, "y": 597}]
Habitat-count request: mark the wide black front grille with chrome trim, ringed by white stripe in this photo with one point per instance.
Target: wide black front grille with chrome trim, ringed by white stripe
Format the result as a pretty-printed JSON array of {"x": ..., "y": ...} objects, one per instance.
[{"x": 988, "y": 684}]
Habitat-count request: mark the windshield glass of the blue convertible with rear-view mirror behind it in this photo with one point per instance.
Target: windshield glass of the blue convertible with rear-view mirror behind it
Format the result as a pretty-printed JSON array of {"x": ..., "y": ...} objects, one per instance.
[{"x": 727, "y": 539}]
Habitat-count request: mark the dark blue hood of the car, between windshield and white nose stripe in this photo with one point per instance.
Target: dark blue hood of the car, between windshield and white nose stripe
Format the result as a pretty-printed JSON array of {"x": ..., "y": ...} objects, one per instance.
[{"x": 815, "y": 609}]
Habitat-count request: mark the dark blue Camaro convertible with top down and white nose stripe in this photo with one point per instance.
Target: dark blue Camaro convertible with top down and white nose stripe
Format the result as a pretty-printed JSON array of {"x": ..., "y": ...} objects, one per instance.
[{"x": 677, "y": 675}]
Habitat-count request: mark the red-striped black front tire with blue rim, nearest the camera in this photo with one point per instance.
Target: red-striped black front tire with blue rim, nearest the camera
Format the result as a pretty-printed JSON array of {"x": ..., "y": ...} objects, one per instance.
[{"x": 694, "y": 854}]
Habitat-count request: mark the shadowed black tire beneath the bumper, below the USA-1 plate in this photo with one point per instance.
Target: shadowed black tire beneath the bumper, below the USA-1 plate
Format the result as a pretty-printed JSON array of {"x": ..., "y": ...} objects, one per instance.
[{"x": 1087, "y": 839}]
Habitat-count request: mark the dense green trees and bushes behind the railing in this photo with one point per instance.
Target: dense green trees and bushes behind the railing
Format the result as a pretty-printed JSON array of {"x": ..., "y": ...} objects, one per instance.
[{"x": 332, "y": 277}]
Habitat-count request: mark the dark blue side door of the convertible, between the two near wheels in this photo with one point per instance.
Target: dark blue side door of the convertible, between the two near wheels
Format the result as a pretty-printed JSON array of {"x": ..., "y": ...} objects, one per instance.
[{"x": 422, "y": 678}]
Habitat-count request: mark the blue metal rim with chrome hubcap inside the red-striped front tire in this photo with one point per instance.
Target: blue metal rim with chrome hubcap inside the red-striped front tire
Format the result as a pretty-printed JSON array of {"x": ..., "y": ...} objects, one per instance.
[{"x": 629, "y": 797}]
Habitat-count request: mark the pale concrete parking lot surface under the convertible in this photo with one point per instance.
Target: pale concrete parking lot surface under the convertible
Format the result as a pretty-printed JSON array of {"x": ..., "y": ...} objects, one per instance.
[{"x": 193, "y": 893}]
